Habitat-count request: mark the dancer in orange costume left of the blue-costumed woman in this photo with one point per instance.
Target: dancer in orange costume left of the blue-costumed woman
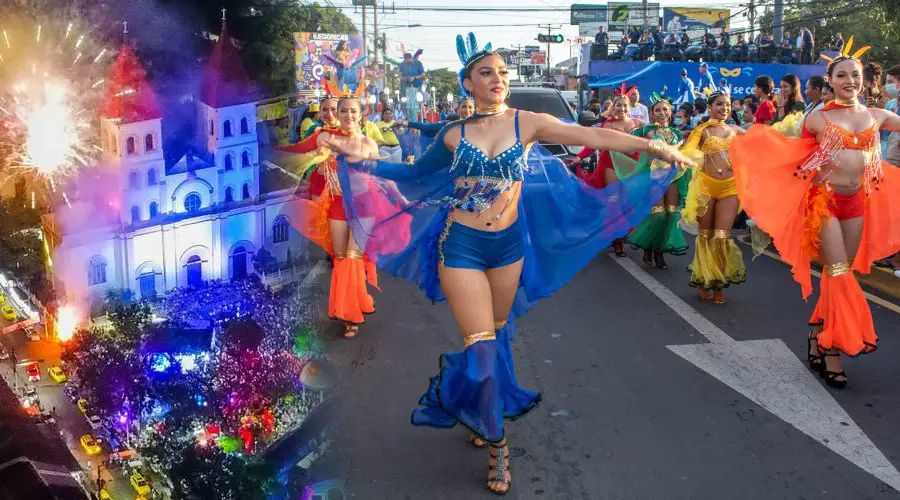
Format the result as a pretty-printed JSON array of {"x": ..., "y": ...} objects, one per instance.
[{"x": 324, "y": 222}]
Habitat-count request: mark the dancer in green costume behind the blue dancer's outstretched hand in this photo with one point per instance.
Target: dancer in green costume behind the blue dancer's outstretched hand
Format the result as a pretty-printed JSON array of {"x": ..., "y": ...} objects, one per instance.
[{"x": 660, "y": 233}]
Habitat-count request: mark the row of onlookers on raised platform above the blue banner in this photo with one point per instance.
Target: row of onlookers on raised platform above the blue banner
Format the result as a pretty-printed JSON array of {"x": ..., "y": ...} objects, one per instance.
[{"x": 794, "y": 47}]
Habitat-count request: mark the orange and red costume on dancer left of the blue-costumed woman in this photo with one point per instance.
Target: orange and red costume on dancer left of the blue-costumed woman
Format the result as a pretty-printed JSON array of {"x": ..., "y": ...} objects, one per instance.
[{"x": 349, "y": 299}]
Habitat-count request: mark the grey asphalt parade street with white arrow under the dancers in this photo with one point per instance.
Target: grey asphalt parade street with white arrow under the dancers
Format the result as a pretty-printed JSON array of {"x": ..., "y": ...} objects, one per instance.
[{"x": 648, "y": 393}]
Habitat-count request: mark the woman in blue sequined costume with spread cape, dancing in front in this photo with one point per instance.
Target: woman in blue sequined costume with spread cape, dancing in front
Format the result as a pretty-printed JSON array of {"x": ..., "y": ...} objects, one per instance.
[{"x": 493, "y": 233}]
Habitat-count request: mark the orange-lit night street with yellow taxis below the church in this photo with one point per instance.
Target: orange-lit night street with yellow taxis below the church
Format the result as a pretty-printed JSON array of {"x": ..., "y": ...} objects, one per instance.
[{"x": 70, "y": 422}]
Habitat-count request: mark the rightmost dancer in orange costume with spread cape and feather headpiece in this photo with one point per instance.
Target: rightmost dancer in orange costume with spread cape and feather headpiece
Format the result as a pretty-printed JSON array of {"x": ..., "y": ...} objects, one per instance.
[{"x": 837, "y": 207}]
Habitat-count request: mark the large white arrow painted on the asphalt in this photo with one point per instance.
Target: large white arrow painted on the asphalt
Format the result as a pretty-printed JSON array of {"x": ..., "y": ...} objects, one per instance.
[{"x": 768, "y": 373}]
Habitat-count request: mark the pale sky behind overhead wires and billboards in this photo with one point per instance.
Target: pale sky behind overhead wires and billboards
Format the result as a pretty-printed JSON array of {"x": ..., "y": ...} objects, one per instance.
[{"x": 504, "y": 29}]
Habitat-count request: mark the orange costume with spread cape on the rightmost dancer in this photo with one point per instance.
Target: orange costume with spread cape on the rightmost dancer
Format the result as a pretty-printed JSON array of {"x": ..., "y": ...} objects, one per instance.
[{"x": 778, "y": 191}]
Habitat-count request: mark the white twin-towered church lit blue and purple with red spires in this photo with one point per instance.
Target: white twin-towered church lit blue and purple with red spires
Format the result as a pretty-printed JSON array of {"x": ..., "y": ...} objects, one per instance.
[{"x": 150, "y": 225}]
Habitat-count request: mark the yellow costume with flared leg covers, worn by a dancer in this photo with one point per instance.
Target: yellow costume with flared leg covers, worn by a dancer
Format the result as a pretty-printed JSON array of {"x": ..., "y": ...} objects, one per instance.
[{"x": 717, "y": 258}]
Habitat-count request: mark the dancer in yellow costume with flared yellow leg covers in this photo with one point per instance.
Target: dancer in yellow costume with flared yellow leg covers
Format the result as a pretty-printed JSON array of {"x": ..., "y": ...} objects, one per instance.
[{"x": 712, "y": 203}]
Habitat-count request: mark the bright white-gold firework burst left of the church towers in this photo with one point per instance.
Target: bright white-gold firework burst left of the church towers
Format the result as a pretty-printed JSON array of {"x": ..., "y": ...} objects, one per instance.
[{"x": 50, "y": 93}]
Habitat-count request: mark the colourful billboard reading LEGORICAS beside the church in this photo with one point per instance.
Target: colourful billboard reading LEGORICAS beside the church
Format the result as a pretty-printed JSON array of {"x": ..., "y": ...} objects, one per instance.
[{"x": 326, "y": 55}]
